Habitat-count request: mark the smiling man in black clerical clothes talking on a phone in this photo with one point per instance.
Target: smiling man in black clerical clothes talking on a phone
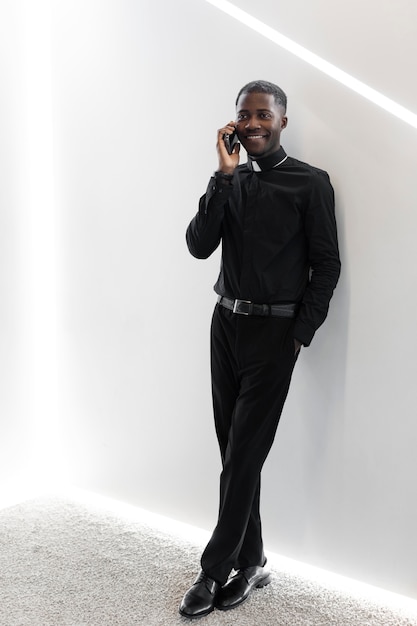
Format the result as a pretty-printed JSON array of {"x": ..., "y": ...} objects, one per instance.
[{"x": 280, "y": 264}]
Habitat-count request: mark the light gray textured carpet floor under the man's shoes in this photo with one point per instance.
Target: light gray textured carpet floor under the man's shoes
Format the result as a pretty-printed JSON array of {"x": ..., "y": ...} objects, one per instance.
[{"x": 72, "y": 564}]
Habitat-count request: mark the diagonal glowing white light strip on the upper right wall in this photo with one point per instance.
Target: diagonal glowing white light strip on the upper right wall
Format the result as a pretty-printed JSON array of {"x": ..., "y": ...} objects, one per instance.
[{"x": 319, "y": 63}]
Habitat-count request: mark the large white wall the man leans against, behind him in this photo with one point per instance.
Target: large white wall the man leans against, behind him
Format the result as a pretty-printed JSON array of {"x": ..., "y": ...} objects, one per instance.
[{"x": 139, "y": 90}]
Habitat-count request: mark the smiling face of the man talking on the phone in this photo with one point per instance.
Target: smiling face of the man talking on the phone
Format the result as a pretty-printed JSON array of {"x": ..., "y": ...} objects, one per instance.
[{"x": 259, "y": 122}]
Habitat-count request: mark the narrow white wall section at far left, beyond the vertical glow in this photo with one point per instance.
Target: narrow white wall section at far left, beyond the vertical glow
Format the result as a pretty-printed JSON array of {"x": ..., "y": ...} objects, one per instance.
[{"x": 15, "y": 388}]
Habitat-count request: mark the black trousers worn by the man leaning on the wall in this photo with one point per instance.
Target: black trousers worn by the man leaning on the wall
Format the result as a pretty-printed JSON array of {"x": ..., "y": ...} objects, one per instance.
[{"x": 252, "y": 359}]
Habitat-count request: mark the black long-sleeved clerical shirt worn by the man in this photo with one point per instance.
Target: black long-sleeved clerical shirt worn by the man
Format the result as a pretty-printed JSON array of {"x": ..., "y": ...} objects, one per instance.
[{"x": 276, "y": 221}]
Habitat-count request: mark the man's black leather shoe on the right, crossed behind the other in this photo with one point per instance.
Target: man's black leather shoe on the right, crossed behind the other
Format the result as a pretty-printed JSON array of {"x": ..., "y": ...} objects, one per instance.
[{"x": 239, "y": 586}]
